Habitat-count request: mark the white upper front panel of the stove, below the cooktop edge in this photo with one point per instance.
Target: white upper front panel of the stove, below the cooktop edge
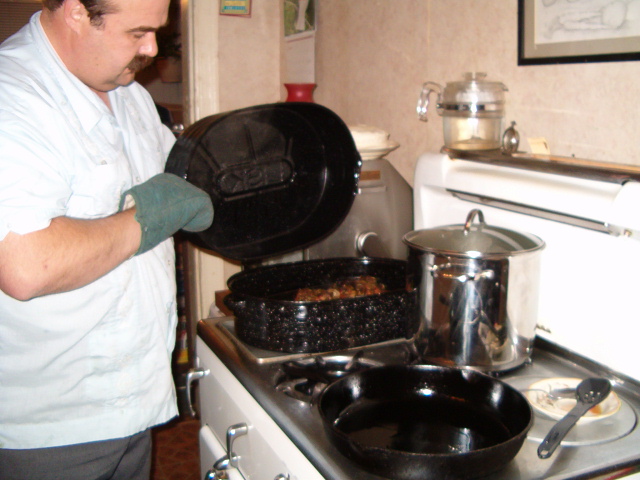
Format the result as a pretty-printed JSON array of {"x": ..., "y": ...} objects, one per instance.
[{"x": 265, "y": 451}]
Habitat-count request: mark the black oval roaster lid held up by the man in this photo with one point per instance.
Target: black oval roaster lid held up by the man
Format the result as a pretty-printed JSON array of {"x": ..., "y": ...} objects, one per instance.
[{"x": 280, "y": 176}]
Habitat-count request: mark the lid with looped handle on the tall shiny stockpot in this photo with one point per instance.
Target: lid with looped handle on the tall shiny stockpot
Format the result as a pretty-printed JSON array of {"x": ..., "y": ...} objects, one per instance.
[{"x": 473, "y": 240}]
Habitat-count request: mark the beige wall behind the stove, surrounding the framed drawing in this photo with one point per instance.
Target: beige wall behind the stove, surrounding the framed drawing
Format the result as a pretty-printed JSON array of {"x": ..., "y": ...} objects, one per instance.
[{"x": 372, "y": 57}]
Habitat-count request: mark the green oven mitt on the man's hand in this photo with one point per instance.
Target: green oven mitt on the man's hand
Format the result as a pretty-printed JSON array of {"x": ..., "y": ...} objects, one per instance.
[{"x": 165, "y": 204}]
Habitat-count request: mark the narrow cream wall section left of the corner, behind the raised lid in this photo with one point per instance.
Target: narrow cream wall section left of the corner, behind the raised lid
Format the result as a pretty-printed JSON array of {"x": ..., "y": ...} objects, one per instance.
[{"x": 231, "y": 63}]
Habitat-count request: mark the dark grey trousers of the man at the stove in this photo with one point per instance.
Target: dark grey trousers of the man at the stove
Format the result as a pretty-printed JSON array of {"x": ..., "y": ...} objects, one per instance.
[{"x": 121, "y": 459}]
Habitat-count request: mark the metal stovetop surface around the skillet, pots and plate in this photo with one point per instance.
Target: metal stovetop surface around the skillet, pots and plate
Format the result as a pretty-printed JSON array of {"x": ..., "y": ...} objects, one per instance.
[{"x": 597, "y": 449}]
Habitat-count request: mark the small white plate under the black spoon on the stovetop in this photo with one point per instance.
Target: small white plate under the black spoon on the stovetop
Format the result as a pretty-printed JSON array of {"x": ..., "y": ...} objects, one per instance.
[{"x": 556, "y": 407}]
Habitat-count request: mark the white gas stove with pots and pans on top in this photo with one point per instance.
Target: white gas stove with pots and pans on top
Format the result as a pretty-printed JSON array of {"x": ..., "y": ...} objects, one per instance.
[{"x": 585, "y": 212}]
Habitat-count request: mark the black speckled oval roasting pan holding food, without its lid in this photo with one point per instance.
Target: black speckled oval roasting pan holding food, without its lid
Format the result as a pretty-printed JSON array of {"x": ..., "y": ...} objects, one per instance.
[{"x": 267, "y": 317}]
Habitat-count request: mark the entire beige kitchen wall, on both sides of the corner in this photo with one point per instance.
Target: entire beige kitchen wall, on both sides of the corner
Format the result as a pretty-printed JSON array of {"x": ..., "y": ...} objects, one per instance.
[{"x": 372, "y": 57}]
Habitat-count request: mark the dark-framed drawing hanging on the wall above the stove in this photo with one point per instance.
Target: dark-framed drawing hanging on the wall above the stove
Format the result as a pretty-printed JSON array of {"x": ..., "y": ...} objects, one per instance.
[{"x": 578, "y": 31}]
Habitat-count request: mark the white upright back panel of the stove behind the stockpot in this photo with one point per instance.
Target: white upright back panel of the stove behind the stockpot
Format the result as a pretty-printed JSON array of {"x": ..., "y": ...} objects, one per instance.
[{"x": 589, "y": 216}]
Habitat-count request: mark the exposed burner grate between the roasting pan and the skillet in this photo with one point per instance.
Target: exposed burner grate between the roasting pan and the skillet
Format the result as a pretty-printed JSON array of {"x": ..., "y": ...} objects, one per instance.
[{"x": 304, "y": 379}]
